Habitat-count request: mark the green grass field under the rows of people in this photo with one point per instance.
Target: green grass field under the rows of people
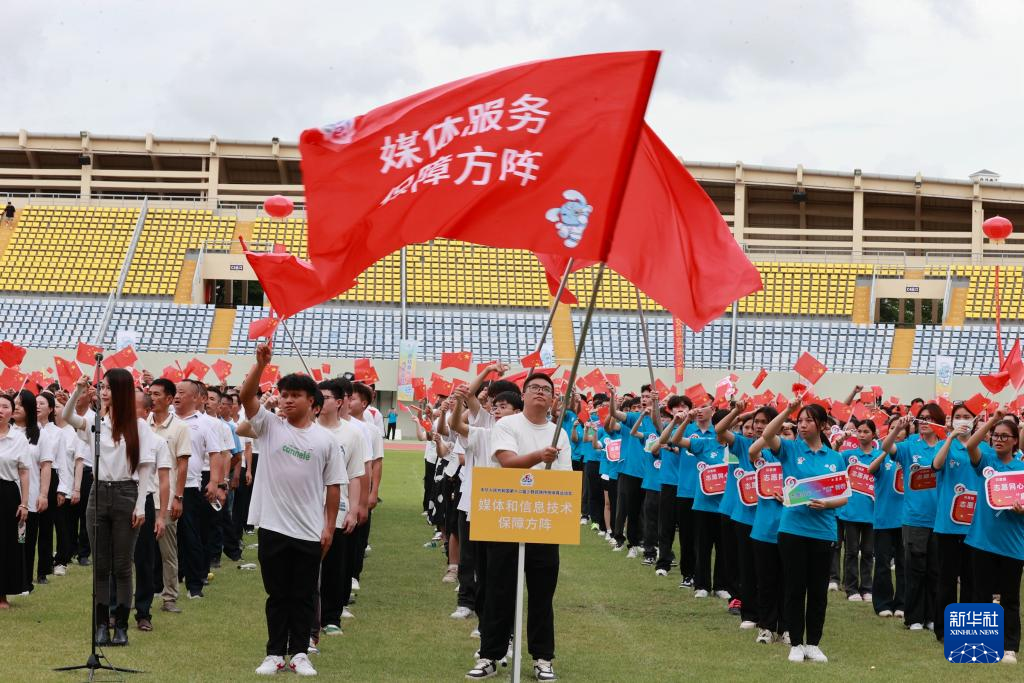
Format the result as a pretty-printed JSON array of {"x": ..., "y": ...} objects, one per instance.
[{"x": 616, "y": 621}]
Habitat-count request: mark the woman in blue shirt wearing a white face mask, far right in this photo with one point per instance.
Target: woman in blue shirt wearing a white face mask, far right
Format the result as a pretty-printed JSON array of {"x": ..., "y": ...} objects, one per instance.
[{"x": 955, "y": 477}]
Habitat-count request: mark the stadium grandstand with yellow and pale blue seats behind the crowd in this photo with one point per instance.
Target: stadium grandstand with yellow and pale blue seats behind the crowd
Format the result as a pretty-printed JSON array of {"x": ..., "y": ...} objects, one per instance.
[{"x": 875, "y": 275}]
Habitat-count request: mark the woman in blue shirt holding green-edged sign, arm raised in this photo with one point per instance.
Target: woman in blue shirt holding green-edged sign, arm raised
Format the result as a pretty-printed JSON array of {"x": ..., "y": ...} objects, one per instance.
[{"x": 805, "y": 532}]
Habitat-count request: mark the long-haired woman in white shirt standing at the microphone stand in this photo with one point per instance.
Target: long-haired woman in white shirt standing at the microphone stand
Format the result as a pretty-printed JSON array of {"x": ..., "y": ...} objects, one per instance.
[{"x": 117, "y": 506}]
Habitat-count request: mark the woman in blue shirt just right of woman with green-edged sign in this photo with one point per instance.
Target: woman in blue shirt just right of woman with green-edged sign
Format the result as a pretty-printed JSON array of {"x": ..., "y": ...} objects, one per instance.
[{"x": 858, "y": 517}]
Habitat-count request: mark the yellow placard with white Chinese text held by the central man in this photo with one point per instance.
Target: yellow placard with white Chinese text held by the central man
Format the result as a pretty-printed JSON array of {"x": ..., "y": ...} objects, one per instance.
[{"x": 526, "y": 506}]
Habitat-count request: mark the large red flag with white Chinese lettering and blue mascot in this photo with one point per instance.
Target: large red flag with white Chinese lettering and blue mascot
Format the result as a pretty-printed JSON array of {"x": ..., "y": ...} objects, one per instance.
[{"x": 531, "y": 157}]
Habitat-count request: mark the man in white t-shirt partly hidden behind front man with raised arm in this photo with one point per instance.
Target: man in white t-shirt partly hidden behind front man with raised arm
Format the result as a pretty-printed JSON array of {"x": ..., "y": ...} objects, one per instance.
[{"x": 335, "y": 580}]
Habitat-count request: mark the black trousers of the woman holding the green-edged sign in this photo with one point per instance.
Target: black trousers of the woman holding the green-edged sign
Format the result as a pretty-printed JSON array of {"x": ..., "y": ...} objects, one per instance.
[{"x": 805, "y": 576}]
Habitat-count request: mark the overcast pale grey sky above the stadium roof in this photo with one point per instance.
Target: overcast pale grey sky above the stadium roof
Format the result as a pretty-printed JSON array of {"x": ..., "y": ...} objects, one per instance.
[{"x": 886, "y": 87}]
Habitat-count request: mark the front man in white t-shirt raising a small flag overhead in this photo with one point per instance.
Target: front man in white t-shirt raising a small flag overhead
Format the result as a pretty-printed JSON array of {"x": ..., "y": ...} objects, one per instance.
[{"x": 302, "y": 476}]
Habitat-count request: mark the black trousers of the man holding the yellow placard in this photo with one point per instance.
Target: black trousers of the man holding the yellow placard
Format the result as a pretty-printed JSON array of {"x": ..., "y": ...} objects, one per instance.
[{"x": 499, "y": 610}]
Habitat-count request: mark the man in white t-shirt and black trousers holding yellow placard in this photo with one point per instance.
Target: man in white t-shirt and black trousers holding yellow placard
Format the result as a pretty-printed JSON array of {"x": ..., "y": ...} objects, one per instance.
[{"x": 524, "y": 441}]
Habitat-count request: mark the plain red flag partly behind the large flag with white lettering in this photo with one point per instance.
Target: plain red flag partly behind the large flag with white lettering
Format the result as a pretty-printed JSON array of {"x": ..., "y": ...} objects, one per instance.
[{"x": 665, "y": 206}]
